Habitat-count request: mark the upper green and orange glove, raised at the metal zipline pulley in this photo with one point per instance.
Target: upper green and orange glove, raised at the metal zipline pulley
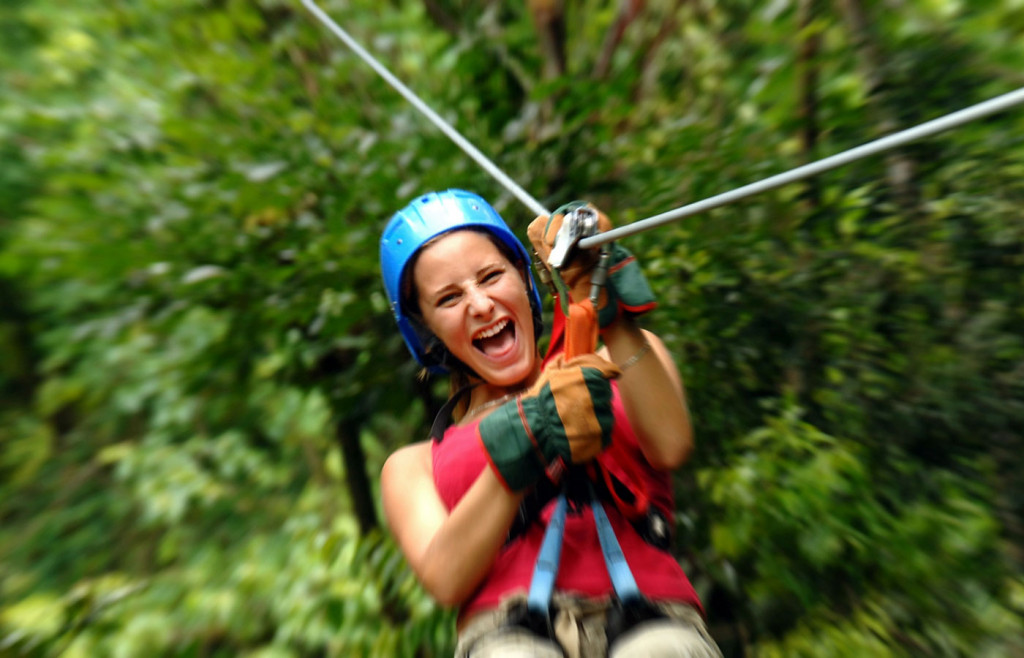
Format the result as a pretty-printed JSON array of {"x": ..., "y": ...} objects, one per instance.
[{"x": 626, "y": 290}]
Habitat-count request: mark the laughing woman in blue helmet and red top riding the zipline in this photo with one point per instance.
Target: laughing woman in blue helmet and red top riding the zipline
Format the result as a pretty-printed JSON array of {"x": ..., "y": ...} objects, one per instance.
[{"x": 466, "y": 303}]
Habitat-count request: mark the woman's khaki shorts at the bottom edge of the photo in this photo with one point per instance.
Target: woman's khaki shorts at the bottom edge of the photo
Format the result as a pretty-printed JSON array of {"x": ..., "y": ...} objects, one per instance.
[{"x": 580, "y": 631}]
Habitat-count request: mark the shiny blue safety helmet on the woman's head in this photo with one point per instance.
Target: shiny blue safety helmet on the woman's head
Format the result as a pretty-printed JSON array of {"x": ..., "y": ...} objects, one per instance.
[{"x": 425, "y": 218}]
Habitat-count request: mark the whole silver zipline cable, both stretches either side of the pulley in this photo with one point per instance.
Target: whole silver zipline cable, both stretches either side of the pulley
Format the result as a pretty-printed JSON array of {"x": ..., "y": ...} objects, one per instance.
[{"x": 948, "y": 122}]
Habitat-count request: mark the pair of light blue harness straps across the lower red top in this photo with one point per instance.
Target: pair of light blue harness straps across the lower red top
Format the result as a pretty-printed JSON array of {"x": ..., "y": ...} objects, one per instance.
[{"x": 543, "y": 584}]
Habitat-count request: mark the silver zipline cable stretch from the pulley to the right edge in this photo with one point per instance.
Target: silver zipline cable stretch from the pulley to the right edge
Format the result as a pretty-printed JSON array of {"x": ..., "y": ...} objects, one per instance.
[{"x": 999, "y": 104}]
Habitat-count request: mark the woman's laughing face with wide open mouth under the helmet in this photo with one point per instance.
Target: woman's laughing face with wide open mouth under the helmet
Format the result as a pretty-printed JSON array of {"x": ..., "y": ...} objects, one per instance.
[{"x": 476, "y": 301}]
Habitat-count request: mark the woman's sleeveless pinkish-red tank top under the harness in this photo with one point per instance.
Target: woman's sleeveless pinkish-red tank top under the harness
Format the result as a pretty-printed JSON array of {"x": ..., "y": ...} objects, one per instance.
[{"x": 459, "y": 460}]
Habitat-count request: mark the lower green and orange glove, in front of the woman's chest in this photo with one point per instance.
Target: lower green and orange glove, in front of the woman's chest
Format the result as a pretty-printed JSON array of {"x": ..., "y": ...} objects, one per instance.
[{"x": 567, "y": 415}]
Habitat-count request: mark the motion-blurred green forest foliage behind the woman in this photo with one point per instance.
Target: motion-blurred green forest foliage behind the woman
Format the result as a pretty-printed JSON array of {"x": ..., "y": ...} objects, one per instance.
[{"x": 201, "y": 379}]
